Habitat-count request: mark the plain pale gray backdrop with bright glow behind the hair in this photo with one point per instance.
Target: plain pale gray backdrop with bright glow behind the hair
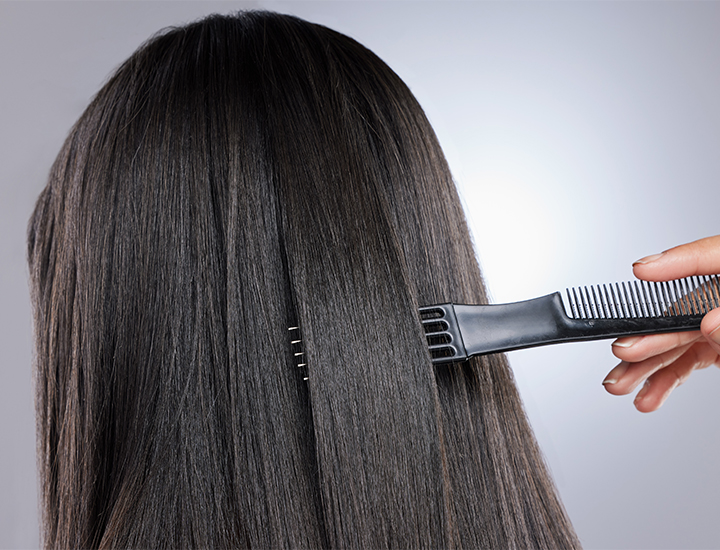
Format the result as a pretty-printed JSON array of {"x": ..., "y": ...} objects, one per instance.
[{"x": 582, "y": 136}]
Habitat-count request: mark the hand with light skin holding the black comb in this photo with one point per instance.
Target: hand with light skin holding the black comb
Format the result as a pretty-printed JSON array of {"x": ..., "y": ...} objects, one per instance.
[{"x": 662, "y": 362}]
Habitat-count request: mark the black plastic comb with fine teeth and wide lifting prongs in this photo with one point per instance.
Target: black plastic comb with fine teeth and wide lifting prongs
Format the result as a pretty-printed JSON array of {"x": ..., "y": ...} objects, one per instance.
[{"x": 456, "y": 332}]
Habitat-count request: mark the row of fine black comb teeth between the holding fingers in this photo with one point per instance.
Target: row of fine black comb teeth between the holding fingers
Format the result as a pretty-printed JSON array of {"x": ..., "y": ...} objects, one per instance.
[{"x": 641, "y": 299}]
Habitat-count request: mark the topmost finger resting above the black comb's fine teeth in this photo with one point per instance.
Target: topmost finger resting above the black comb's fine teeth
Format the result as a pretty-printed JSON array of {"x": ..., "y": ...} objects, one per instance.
[{"x": 701, "y": 257}]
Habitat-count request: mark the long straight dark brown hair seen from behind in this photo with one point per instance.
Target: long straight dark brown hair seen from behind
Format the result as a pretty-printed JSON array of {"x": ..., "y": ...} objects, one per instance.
[{"x": 236, "y": 177}]
